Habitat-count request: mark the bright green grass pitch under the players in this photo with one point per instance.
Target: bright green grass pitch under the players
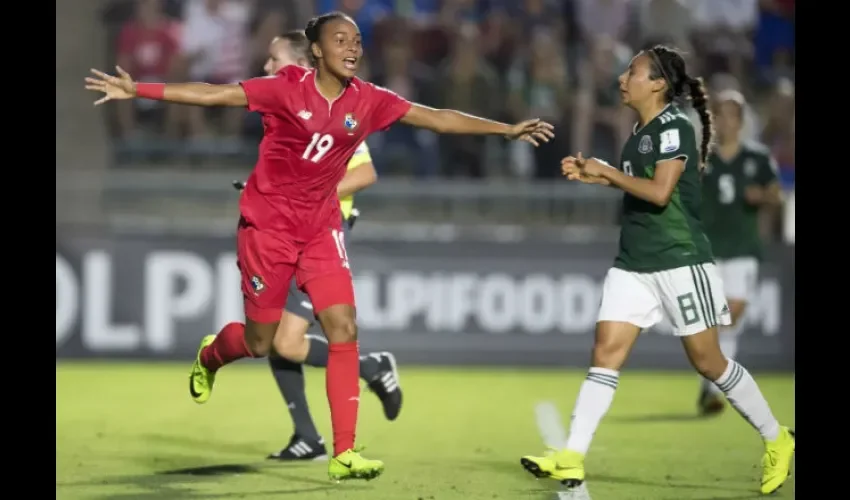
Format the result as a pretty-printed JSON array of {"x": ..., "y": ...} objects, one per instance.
[{"x": 130, "y": 431}]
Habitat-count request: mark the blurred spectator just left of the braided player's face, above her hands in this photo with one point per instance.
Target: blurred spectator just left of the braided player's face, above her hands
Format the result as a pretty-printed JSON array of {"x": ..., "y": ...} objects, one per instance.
[{"x": 601, "y": 123}]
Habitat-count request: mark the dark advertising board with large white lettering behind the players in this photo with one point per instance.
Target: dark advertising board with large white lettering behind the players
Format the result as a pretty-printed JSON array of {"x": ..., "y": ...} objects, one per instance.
[{"x": 523, "y": 304}]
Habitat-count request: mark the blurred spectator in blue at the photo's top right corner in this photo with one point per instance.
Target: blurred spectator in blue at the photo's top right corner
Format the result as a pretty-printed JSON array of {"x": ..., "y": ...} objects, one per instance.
[{"x": 774, "y": 38}]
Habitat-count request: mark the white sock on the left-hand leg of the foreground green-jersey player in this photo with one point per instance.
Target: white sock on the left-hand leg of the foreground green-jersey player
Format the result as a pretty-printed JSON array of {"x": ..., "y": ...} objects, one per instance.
[{"x": 594, "y": 399}]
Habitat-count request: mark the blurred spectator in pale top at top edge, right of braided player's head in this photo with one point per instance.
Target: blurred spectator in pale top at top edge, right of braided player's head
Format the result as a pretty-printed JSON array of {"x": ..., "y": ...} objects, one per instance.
[{"x": 722, "y": 30}]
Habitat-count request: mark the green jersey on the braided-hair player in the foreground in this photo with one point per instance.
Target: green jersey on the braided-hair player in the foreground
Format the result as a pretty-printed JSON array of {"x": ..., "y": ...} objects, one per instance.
[{"x": 654, "y": 238}]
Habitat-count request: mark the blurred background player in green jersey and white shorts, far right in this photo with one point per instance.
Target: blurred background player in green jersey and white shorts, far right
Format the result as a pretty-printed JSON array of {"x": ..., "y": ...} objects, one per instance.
[{"x": 739, "y": 179}]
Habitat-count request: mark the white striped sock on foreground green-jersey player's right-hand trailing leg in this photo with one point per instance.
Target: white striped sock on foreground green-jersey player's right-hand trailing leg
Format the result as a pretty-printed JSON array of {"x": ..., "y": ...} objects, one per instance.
[{"x": 745, "y": 396}]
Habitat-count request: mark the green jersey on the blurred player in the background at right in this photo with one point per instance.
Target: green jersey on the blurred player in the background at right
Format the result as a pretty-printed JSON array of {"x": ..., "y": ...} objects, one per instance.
[{"x": 730, "y": 222}]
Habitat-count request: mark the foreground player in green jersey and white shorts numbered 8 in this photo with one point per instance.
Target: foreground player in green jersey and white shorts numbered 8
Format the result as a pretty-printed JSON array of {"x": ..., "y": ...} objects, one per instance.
[{"x": 664, "y": 269}]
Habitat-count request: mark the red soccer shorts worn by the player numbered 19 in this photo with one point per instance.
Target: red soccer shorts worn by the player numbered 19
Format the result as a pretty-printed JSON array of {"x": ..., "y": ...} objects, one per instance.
[{"x": 268, "y": 261}]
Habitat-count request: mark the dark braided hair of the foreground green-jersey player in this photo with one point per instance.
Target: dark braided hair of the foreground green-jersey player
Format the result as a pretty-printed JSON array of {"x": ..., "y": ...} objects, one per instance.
[{"x": 669, "y": 64}]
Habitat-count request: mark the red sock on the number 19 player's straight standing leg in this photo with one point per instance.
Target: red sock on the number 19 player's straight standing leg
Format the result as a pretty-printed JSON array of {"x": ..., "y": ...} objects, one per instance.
[{"x": 343, "y": 385}]
